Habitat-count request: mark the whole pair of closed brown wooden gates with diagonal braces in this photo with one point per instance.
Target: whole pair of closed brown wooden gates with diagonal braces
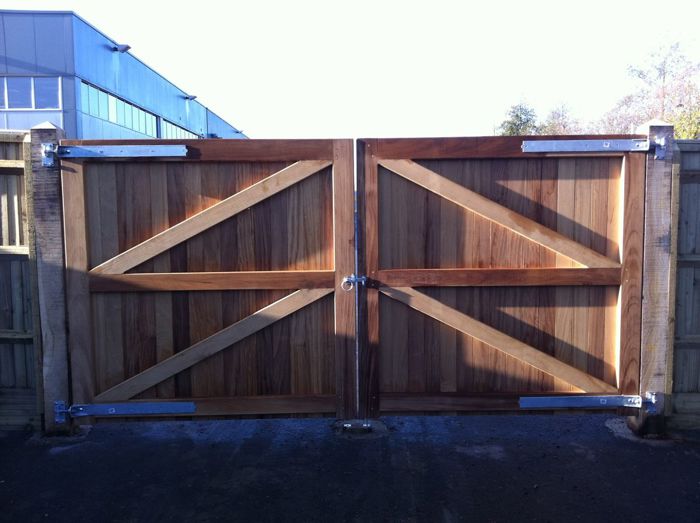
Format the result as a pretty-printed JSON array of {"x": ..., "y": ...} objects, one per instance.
[{"x": 491, "y": 274}]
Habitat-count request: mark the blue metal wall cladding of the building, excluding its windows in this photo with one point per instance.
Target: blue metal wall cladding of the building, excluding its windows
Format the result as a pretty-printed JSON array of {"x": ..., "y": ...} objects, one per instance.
[{"x": 35, "y": 43}]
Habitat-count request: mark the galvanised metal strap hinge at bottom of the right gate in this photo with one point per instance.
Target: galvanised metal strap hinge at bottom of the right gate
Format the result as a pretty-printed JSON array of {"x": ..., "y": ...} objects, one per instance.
[{"x": 590, "y": 402}]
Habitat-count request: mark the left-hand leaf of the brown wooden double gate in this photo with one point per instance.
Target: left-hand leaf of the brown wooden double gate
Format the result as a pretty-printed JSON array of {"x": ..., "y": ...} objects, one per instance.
[{"x": 213, "y": 277}]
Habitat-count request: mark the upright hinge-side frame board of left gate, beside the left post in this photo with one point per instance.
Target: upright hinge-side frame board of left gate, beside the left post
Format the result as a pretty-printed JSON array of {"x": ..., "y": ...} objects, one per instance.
[{"x": 77, "y": 292}]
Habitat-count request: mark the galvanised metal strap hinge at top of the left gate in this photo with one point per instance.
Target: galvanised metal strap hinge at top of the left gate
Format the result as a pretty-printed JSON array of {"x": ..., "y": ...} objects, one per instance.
[{"x": 51, "y": 151}]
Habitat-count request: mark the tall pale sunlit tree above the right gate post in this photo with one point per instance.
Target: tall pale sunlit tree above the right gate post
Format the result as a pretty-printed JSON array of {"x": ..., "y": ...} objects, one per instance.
[{"x": 667, "y": 89}]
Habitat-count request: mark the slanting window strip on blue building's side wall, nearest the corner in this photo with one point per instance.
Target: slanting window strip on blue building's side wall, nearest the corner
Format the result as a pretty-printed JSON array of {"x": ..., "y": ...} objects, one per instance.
[{"x": 101, "y": 104}]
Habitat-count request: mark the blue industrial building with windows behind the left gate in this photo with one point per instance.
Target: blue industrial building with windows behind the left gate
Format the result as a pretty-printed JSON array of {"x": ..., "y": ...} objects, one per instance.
[{"x": 56, "y": 67}]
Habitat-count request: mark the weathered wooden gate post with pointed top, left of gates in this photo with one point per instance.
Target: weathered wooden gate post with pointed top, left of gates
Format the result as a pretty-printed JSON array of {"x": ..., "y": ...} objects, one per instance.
[{"x": 46, "y": 247}]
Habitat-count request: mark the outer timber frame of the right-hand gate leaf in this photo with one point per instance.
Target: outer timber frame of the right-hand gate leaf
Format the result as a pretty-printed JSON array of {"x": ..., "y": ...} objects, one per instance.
[{"x": 370, "y": 154}]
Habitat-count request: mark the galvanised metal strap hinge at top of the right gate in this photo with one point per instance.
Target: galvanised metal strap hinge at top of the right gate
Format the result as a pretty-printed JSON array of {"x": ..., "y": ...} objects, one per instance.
[{"x": 596, "y": 146}]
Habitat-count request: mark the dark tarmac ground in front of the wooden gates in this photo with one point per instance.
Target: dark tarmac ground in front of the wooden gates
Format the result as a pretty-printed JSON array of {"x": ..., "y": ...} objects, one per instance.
[{"x": 480, "y": 468}]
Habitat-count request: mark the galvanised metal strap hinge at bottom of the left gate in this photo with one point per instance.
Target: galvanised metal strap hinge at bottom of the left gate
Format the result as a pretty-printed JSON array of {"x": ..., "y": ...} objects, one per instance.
[{"x": 137, "y": 408}]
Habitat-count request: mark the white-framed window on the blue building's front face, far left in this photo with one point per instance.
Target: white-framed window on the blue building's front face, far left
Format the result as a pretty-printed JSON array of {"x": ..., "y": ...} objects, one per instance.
[{"x": 26, "y": 92}]
